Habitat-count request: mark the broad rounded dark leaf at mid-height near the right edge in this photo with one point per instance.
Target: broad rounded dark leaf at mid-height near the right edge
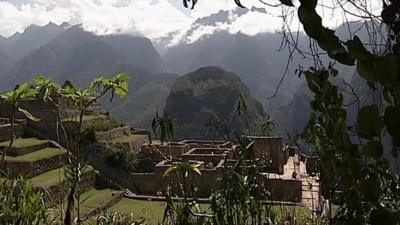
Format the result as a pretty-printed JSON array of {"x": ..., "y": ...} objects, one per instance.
[{"x": 369, "y": 123}]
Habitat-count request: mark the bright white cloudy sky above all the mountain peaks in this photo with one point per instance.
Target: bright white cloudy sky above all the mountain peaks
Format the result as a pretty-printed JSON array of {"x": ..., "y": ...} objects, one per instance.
[{"x": 151, "y": 18}]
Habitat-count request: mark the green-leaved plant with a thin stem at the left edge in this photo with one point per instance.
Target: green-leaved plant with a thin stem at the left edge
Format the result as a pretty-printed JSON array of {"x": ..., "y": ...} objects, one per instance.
[{"x": 14, "y": 98}]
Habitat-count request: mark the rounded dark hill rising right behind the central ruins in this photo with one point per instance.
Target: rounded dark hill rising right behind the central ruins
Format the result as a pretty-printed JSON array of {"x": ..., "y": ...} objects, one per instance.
[{"x": 208, "y": 92}]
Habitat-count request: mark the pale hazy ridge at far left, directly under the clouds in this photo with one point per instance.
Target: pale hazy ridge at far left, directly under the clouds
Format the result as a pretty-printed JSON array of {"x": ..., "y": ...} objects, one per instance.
[{"x": 21, "y": 44}]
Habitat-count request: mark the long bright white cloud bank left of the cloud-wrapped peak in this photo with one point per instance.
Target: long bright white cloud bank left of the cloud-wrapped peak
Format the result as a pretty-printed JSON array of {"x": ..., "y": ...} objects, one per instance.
[{"x": 153, "y": 18}]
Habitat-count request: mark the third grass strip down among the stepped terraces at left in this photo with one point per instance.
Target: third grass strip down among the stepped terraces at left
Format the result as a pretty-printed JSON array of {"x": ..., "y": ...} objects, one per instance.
[{"x": 53, "y": 177}]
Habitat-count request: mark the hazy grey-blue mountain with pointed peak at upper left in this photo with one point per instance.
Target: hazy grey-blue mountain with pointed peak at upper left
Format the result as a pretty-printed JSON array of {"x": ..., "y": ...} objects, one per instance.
[{"x": 73, "y": 55}]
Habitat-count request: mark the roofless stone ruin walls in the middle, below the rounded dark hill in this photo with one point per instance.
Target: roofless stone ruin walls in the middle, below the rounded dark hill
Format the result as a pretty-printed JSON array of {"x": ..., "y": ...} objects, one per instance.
[{"x": 279, "y": 176}]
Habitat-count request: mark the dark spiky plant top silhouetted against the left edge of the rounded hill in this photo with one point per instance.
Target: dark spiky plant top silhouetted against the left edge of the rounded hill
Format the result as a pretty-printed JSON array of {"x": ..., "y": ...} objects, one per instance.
[{"x": 163, "y": 127}]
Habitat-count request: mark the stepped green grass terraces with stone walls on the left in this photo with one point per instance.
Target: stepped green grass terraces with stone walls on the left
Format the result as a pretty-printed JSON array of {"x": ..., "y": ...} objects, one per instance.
[{"x": 44, "y": 162}]
